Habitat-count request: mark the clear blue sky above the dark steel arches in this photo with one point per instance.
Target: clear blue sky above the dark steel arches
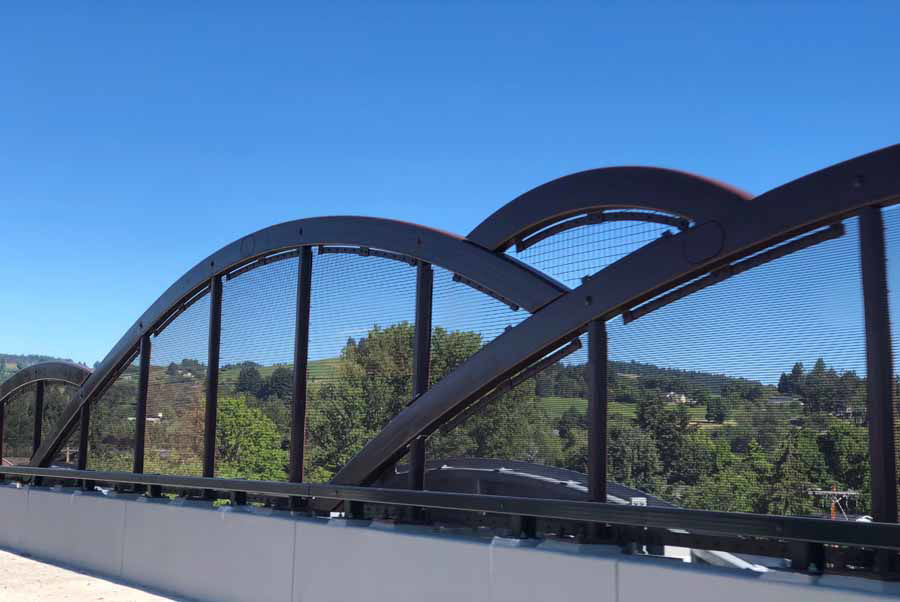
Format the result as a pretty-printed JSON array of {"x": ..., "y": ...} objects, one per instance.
[{"x": 134, "y": 141}]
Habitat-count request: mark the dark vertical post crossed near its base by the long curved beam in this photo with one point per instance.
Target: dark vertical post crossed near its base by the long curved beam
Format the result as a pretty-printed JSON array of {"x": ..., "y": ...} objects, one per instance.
[{"x": 421, "y": 365}]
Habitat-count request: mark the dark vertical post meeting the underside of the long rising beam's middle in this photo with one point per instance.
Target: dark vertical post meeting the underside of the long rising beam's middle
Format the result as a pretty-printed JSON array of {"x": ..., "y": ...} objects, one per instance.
[{"x": 597, "y": 408}]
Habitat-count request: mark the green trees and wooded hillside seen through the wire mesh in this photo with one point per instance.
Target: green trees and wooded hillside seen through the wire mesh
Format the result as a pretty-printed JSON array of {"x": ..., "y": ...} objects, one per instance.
[{"x": 699, "y": 440}]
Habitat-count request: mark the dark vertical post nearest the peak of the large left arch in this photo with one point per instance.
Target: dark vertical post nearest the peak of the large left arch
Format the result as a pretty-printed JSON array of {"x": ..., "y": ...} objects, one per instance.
[{"x": 301, "y": 358}]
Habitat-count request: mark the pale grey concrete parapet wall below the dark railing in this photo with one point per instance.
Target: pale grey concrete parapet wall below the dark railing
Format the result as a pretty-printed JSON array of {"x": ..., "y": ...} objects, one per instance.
[{"x": 192, "y": 550}]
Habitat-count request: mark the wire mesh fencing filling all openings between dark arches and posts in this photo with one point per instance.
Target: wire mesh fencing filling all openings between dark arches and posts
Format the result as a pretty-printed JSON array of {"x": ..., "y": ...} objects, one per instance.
[{"x": 745, "y": 396}]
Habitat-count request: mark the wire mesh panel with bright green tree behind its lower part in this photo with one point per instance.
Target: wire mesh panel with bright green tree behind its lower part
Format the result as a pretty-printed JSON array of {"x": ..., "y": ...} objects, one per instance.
[{"x": 256, "y": 376}]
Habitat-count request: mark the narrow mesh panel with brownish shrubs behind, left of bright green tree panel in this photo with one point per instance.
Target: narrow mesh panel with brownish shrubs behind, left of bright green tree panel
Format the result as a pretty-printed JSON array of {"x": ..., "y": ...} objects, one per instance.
[{"x": 176, "y": 397}]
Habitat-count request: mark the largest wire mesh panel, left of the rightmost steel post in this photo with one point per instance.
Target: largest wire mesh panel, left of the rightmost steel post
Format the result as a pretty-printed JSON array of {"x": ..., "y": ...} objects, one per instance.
[{"x": 749, "y": 395}]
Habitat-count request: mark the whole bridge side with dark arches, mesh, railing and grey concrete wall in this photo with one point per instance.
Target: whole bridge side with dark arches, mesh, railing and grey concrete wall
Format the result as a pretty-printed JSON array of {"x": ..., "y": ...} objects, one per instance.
[{"x": 356, "y": 408}]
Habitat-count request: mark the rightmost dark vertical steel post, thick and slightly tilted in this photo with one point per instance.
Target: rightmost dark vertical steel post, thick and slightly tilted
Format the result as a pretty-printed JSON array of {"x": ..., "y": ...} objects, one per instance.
[{"x": 879, "y": 381}]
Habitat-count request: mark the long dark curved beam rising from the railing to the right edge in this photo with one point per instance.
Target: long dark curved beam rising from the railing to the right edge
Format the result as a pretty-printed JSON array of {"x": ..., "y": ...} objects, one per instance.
[{"x": 737, "y": 230}]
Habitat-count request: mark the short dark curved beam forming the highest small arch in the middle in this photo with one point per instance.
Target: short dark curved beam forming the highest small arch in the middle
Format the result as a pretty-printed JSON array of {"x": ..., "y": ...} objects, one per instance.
[{"x": 649, "y": 188}]
